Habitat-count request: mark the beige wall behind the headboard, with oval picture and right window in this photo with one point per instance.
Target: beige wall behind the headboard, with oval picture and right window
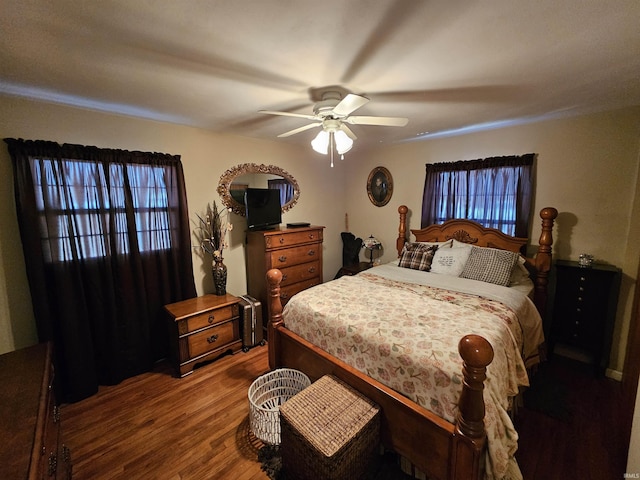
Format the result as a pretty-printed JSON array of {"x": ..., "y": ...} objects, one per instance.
[{"x": 587, "y": 168}]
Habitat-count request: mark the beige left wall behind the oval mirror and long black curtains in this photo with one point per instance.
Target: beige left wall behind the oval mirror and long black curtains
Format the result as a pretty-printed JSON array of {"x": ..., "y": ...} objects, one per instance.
[{"x": 205, "y": 157}]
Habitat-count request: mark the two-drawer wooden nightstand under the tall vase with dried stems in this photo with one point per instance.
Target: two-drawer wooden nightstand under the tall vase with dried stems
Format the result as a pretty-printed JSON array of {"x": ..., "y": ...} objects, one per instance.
[{"x": 202, "y": 329}]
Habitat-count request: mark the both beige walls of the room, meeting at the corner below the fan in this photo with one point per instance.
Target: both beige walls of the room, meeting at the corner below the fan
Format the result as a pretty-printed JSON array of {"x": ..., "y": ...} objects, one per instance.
[{"x": 587, "y": 168}]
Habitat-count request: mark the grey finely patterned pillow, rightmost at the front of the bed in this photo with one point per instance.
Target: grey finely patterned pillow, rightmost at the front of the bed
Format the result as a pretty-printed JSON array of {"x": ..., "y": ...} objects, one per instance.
[{"x": 490, "y": 265}]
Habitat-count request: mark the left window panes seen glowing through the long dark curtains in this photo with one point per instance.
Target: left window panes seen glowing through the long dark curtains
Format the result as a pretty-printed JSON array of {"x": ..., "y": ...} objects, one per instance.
[{"x": 87, "y": 204}]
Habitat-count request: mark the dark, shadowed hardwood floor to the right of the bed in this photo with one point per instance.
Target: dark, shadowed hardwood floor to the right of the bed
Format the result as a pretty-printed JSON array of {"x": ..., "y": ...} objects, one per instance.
[{"x": 588, "y": 443}]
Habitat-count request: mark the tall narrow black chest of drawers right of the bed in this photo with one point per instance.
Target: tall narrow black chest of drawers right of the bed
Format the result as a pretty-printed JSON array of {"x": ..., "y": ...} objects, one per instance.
[{"x": 584, "y": 311}]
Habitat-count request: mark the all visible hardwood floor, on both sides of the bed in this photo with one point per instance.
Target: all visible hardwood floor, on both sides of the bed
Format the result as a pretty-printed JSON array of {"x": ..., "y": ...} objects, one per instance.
[{"x": 161, "y": 427}]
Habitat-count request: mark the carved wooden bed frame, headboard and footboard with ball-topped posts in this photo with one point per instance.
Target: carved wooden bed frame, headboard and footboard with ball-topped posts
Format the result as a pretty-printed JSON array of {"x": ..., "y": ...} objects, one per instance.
[{"x": 441, "y": 449}]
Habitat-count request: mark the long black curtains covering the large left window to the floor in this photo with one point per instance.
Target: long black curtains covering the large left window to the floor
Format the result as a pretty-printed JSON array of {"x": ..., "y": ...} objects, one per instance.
[{"x": 107, "y": 244}]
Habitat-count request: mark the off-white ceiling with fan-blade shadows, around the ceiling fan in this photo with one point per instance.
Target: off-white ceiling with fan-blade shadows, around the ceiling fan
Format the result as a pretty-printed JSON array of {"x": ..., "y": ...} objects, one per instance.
[{"x": 446, "y": 65}]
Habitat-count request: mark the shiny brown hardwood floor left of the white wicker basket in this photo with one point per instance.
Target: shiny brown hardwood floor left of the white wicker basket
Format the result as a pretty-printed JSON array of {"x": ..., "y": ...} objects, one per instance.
[{"x": 156, "y": 426}]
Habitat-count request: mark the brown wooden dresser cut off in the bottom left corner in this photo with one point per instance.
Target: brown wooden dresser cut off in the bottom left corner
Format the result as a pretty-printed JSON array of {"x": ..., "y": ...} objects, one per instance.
[{"x": 31, "y": 446}]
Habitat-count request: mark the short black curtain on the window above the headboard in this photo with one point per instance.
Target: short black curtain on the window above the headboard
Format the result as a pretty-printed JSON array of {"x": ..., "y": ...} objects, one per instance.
[{"x": 496, "y": 192}]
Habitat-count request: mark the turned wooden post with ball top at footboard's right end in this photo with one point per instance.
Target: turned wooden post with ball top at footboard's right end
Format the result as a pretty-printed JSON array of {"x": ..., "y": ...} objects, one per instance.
[{"x": 476, "y": 353}]
